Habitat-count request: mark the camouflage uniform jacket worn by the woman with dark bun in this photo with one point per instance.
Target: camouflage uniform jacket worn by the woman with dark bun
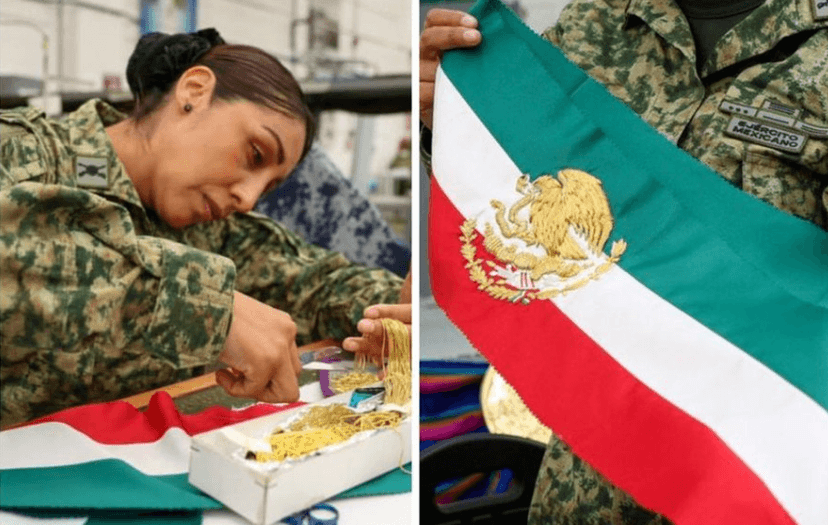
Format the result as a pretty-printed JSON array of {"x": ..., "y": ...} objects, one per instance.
[{"x": 102, "y": 299}]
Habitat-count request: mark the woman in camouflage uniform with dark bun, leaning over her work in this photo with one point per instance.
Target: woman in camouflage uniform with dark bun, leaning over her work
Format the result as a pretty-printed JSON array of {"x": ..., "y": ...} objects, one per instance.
[{"x": 129, "y": 259}]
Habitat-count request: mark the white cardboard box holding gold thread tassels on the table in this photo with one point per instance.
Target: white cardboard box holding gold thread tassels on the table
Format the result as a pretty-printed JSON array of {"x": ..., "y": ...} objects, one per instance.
[{"x": 264, "y": 493}]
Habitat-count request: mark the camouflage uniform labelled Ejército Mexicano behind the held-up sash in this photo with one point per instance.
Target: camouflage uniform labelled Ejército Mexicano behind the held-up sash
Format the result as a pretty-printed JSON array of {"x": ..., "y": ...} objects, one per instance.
[{"x": 643, "y": 52}]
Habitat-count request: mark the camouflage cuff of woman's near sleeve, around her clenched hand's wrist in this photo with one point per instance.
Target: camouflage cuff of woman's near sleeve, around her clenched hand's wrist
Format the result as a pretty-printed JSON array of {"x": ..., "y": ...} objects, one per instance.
[{"x": 194, "y": 304}]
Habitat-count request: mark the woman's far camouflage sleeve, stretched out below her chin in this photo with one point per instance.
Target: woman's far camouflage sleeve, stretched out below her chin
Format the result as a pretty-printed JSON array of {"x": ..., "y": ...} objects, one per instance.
[{"x": 324, "y": 292}]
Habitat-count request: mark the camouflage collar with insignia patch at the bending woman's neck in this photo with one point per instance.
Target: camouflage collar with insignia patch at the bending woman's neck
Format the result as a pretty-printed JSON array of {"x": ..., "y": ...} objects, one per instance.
[{"x": 91, "y": 145}]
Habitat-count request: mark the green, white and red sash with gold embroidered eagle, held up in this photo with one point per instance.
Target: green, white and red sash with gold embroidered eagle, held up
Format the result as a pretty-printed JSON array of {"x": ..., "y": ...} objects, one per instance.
[{"x": 672, "y": 329}]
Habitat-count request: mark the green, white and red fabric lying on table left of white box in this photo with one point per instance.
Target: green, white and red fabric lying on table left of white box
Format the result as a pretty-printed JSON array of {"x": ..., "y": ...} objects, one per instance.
[{"x": 110, "y": 462}]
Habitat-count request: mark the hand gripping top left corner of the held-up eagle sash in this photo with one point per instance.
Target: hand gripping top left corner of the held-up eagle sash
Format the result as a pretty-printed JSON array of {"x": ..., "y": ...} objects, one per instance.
[{"x": 444, "y": 29}]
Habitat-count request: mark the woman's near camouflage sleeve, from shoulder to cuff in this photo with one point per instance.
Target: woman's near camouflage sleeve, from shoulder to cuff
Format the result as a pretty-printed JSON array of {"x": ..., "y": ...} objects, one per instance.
[{"x": 82, "y": 283}]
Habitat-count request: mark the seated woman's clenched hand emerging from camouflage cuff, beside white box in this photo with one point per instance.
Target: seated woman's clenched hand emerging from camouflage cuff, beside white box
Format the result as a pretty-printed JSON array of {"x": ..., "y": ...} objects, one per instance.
[{"x": 261, "y": 353}]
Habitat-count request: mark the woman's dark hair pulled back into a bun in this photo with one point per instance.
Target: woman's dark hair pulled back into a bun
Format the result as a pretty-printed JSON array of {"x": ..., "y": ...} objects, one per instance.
[{"x": 244, "y": 72}]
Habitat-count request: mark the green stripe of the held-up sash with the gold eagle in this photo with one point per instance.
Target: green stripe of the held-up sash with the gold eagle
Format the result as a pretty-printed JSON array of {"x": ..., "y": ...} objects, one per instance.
[{"x": 751, "y": 273}]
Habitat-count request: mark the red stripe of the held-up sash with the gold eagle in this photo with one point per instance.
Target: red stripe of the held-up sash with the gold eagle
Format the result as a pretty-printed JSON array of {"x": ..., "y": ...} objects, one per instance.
[{"x": 666, "y": 459}]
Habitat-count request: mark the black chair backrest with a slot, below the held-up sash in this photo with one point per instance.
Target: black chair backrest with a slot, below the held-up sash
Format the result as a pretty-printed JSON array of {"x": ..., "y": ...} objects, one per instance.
[{"x": 479, "y": 454}]
